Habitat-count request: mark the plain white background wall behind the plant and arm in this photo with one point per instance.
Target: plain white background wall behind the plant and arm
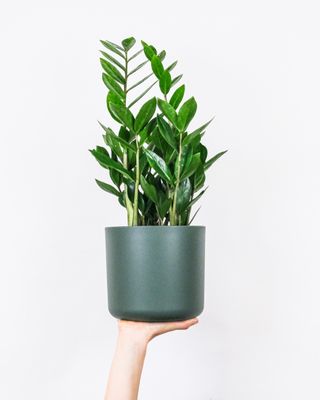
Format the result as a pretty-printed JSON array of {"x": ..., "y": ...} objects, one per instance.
[{"x": 255, "y": 66}]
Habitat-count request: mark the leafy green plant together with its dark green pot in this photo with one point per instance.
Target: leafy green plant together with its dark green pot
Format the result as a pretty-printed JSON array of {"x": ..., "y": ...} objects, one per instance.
[{"x": 157, "y": 166}]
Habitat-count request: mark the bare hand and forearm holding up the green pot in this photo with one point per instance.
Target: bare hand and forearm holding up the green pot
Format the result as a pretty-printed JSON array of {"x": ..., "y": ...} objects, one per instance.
[{"x": 131, "y": 348}]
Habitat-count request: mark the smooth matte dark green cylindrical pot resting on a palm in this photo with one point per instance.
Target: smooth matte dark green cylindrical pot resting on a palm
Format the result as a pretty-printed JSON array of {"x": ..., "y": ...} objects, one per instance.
[{"x": 155, "y": 273}]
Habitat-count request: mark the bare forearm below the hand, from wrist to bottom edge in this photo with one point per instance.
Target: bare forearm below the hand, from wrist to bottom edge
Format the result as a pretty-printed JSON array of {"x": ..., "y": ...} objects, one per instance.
[{"x": 126, "y": 369}]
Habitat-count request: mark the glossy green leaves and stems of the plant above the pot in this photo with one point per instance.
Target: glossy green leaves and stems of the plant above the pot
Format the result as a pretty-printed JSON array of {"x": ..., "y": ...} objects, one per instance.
[{"x": 156, "y": 164}]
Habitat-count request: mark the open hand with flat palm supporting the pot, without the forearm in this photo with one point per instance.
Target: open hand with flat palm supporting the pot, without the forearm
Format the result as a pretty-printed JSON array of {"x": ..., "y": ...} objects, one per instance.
[{"x": 146, "y": 331}]
